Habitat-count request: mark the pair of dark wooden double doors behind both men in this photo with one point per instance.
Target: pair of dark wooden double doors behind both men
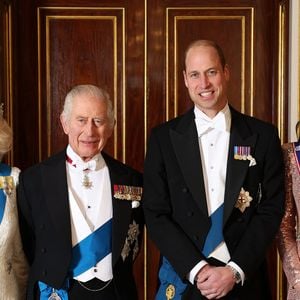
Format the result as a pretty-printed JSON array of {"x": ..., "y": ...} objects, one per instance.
[{"x": 134, "y": 49}]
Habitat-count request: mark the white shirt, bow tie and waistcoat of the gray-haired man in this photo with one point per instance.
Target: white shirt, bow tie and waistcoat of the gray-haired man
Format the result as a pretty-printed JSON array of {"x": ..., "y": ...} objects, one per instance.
[{"x": 90, "y": 207}]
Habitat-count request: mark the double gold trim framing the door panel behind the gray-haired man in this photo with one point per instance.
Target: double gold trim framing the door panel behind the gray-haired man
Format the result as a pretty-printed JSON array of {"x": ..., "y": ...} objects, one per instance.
[{"x": 48, "y": 19}]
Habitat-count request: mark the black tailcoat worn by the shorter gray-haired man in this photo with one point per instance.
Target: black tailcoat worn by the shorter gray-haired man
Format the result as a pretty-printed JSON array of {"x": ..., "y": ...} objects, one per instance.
[{"x": 45, "y": 224}]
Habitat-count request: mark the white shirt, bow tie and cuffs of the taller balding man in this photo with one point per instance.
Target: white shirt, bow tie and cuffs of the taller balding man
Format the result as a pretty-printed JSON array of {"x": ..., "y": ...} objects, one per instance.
[{"x": 213, "y": 135}]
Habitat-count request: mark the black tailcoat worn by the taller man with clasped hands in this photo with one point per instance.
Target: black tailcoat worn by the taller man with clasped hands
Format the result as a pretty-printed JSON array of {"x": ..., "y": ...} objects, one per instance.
[{"x": 175, "y": 204}]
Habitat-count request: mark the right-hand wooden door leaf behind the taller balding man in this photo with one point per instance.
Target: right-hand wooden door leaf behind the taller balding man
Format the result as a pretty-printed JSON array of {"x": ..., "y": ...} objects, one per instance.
[{"x": 247, "y": 33}]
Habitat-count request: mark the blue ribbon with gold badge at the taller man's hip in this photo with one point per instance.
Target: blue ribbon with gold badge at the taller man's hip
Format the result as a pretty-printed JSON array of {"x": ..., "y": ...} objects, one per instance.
[{"x": 170, "y": 282}]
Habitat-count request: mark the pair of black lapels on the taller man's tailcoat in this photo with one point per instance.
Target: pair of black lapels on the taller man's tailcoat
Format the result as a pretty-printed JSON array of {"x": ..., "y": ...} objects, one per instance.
[{"x": 184, "y": 139}]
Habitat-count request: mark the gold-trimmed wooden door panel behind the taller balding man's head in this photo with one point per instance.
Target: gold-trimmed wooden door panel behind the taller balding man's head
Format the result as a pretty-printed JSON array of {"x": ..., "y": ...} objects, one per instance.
[{"x": 232, "y": 29}]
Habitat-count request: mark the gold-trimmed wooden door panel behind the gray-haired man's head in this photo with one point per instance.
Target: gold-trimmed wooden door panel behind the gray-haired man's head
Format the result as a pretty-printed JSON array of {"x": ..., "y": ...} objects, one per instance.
[{"x": 78, "y": 46}]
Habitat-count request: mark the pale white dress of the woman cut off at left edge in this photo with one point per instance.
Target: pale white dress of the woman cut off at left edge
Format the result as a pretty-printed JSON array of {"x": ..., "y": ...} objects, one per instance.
[{"x": 13, "y": 265}]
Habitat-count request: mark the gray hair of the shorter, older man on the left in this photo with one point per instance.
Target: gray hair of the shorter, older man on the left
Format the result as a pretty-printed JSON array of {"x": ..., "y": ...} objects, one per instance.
[{"x": 92, "y": 90}]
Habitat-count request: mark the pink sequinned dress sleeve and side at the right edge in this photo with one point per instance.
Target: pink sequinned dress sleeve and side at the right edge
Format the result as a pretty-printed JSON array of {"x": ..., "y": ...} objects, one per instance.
[{"x": 289, "y": 234}]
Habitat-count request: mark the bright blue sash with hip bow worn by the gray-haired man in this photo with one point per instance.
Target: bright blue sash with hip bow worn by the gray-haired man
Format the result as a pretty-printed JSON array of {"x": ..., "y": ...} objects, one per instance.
[{"x": 85, "y": 255}]
